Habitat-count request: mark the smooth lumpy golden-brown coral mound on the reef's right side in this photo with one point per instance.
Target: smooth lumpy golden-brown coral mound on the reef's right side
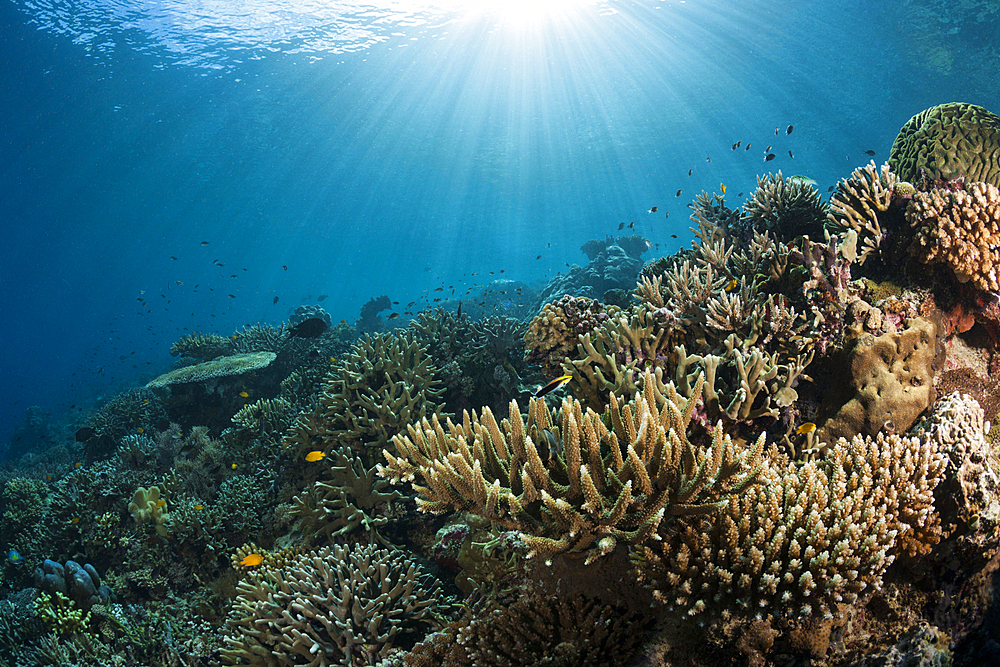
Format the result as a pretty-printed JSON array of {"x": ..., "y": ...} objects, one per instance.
[{"x": 890, "y": 379}]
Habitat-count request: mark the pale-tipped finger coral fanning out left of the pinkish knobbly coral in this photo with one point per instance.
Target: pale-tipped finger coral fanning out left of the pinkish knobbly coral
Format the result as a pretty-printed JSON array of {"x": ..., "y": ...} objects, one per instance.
[{"x": 858, "y": 203}]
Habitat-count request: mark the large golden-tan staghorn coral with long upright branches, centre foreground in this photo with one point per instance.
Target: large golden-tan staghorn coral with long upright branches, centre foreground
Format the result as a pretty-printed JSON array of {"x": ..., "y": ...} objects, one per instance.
[{"x": 596, "y": 485}]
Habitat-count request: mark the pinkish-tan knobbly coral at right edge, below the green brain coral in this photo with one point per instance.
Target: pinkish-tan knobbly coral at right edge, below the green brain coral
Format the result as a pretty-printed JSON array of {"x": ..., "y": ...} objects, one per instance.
[{"x": 960, "y": 228}]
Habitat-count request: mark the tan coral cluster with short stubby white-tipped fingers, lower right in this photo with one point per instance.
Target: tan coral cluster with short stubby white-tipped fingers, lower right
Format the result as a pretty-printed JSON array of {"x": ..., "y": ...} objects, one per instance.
[{"x": 806, "y": 539}]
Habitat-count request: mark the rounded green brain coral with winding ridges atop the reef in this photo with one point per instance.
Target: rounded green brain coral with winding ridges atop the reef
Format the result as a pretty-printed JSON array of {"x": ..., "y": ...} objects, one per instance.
[{"x": 949, "y": 141}]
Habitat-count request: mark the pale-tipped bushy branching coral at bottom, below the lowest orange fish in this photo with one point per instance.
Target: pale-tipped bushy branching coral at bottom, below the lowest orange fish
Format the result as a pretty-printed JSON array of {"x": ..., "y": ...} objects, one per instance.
[{"x": 336, "y": 606}]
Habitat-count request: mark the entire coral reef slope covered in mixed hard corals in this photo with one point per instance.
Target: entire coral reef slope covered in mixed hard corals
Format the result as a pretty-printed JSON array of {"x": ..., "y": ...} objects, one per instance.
[{"x": 772, "y": 447}]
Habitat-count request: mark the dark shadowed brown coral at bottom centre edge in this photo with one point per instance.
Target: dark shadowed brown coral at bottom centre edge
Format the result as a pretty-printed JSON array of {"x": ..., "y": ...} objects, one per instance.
[{"x": 537, "y": 630}]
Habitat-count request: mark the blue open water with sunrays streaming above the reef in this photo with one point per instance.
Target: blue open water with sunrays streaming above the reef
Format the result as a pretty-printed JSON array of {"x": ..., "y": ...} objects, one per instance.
[{"x": 393, "y": 148}]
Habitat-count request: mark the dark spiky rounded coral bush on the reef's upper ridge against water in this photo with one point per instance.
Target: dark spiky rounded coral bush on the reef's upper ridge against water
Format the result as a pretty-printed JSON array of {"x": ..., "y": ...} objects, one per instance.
[{"x": 787, "y": 207}]
